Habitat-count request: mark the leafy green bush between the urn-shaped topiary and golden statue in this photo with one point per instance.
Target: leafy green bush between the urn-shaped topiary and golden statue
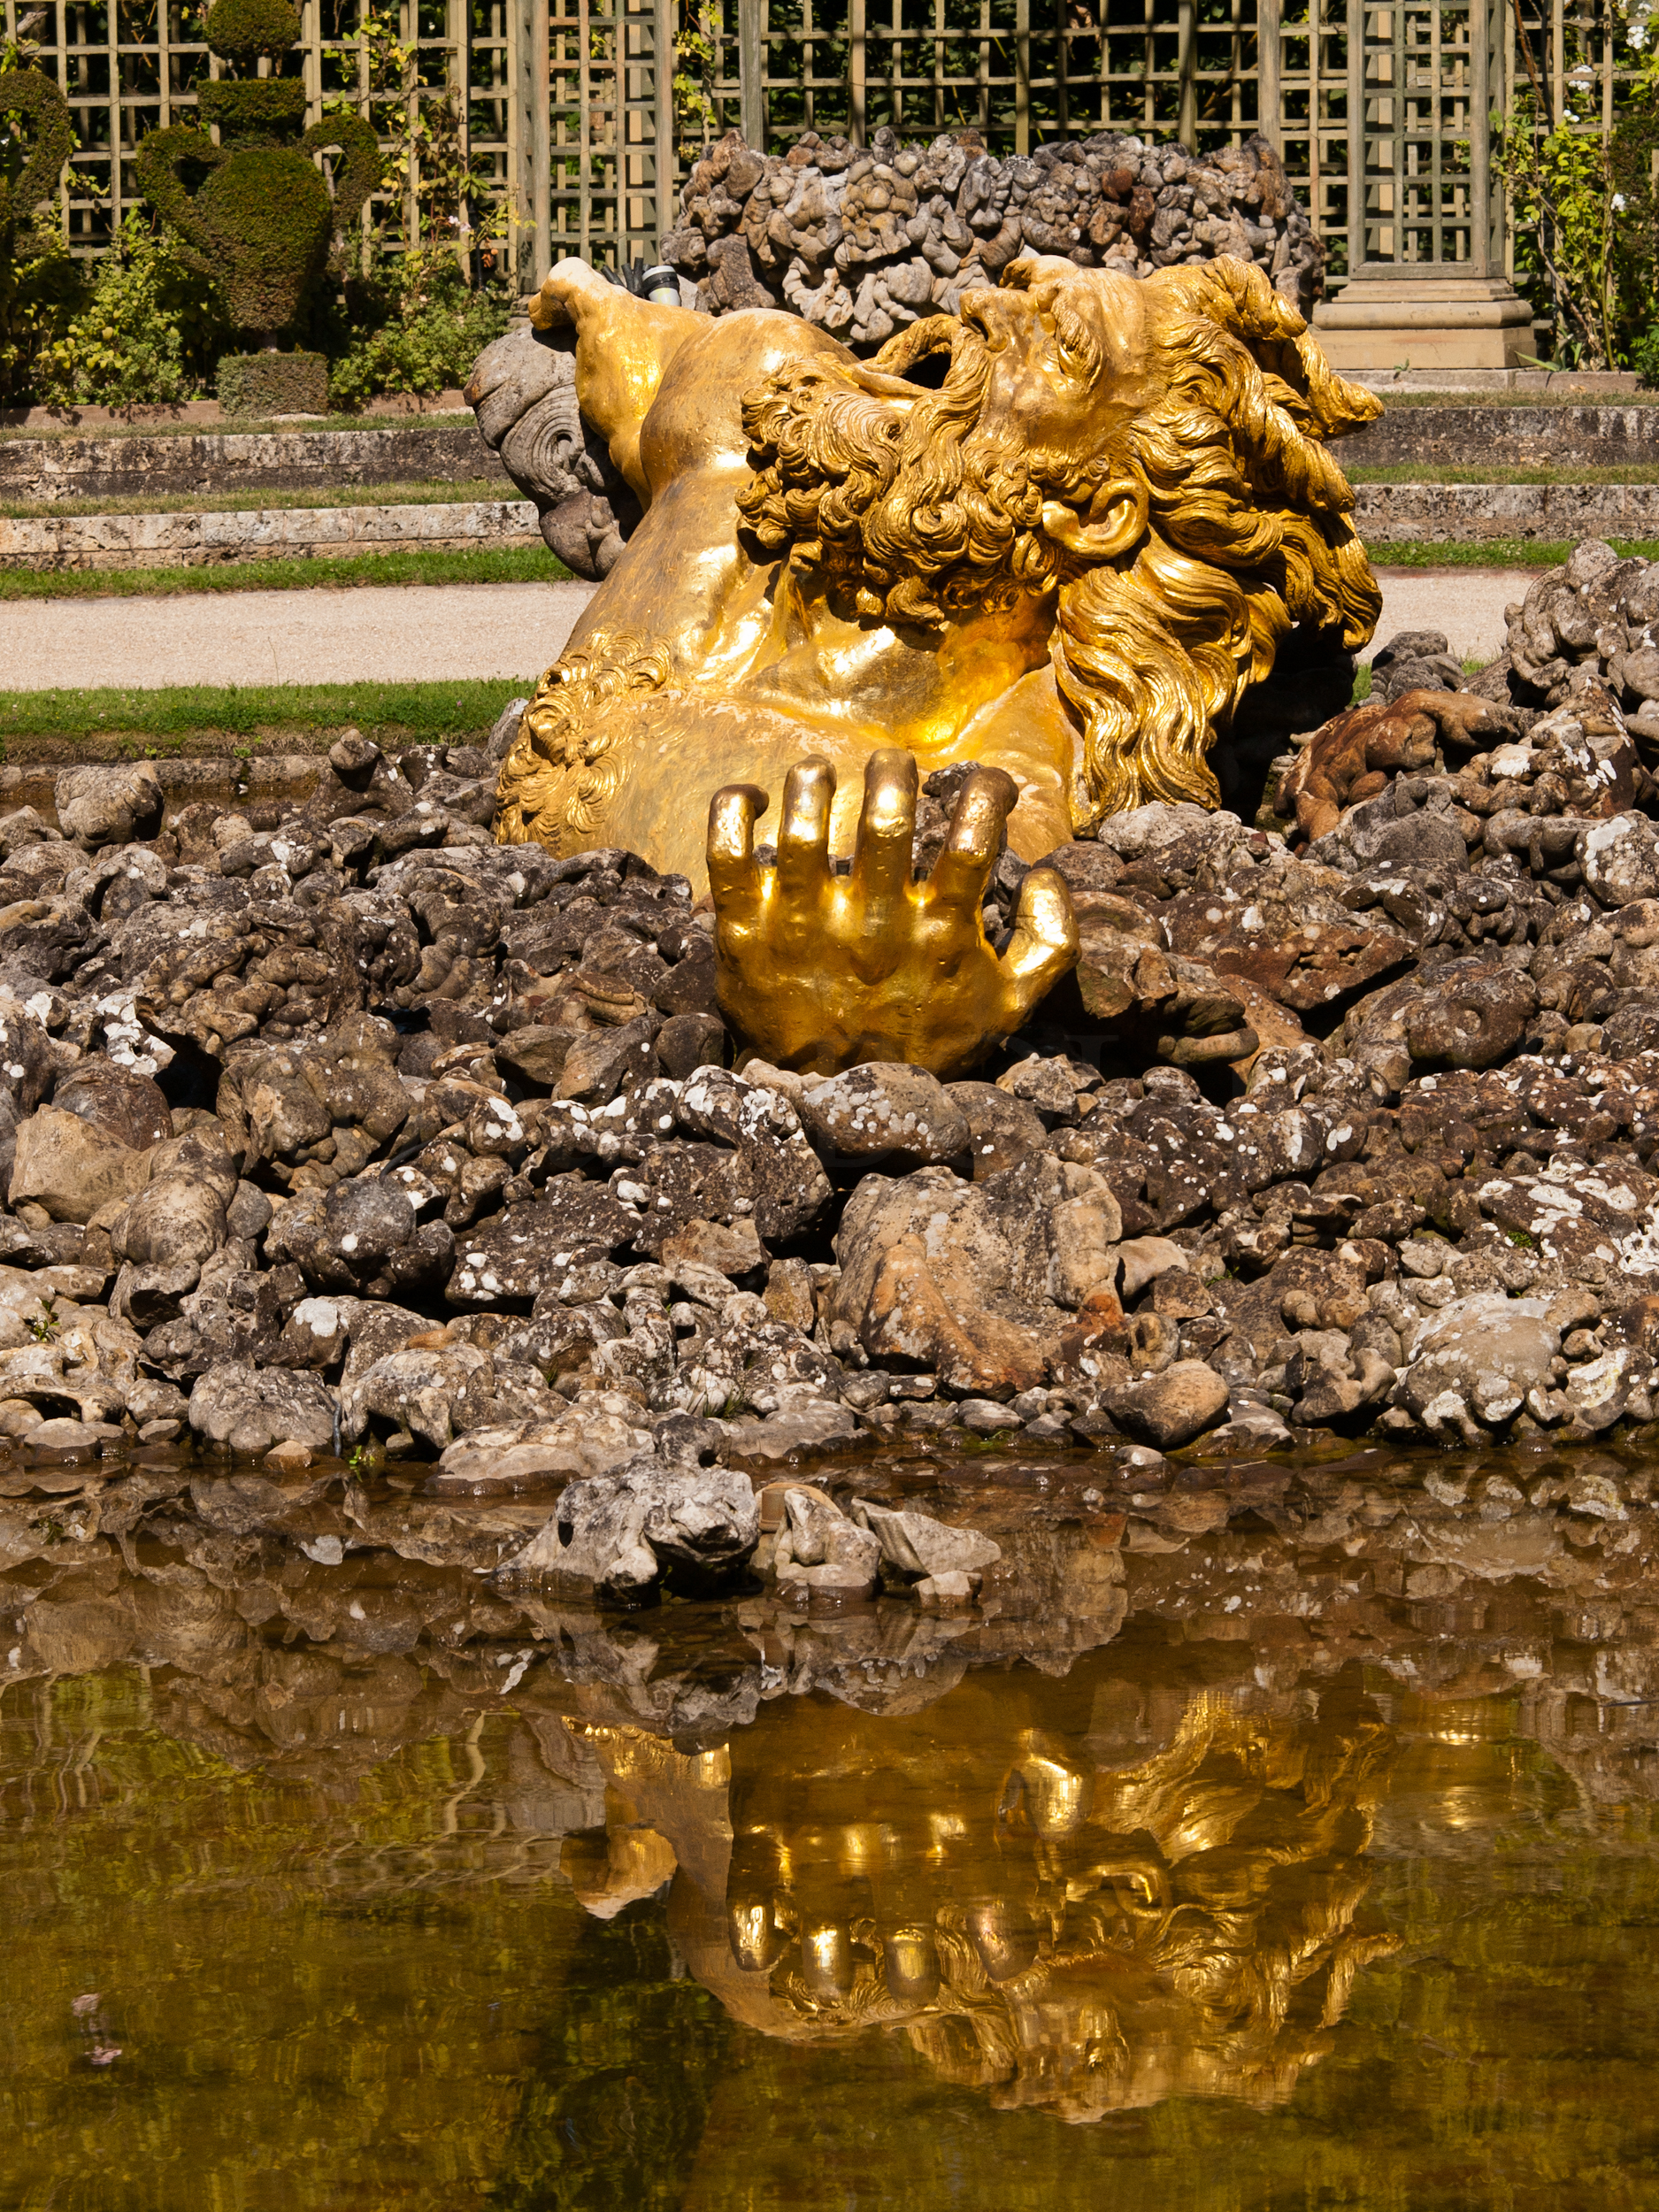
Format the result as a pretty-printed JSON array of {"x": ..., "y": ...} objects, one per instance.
[{"x": 419, "y": 328}]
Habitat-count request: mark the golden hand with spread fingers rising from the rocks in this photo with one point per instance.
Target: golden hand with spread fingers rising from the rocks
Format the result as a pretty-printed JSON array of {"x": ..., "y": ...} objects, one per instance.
[{"x": 822, "y": 972}]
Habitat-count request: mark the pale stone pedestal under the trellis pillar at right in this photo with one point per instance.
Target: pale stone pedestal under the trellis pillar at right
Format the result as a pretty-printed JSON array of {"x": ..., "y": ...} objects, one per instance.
[{"x": 1423, "y": 320}]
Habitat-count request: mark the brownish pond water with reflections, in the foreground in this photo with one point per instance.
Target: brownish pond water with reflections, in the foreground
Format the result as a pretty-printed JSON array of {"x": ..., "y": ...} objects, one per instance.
[{"x": 1275, "y": 1844}]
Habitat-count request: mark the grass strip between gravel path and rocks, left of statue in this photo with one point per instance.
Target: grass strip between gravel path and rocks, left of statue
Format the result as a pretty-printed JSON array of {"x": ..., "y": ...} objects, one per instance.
[{"x": 273, "y": 718}]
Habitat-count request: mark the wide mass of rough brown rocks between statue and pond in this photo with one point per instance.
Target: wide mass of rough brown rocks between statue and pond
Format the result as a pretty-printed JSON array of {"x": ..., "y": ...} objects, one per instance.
[{"x": 333, "y": 1127}]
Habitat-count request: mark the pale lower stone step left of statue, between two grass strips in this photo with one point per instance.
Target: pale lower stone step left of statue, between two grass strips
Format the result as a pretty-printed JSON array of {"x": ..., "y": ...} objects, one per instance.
[{"x": 194, "y": 541}]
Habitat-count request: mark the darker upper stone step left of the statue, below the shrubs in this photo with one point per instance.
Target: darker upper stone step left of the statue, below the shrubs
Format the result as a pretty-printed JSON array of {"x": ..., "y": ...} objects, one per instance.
[{"x": 244, "y": 461}]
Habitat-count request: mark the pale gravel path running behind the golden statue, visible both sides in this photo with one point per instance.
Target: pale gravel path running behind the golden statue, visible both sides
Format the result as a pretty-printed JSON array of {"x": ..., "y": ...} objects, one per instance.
[{"x": 444, "y": 632}]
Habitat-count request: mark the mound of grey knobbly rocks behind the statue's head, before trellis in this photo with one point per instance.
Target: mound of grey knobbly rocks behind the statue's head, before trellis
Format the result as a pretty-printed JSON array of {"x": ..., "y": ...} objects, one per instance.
[{"x": 868, "y": 240}]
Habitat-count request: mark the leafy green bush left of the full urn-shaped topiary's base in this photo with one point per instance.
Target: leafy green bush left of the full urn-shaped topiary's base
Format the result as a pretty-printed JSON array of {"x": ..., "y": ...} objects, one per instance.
[{"x": 145, "y": 337}]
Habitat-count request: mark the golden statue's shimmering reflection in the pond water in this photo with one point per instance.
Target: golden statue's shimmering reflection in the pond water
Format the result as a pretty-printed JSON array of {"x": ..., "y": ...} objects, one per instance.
[{"x": 1054, "y": 1932}]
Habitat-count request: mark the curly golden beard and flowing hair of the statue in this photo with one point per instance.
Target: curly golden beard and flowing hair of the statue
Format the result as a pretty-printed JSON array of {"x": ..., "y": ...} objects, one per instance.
[{"x": 924, "y": 519}]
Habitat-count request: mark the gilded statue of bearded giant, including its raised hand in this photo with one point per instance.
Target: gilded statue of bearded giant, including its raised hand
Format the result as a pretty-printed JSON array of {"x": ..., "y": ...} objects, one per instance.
[{"x": 1052, "y": 539}]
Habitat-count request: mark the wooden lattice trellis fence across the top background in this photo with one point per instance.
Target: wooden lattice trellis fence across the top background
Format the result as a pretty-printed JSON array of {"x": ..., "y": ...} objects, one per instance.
[{"x": 570, "y": 109}]
